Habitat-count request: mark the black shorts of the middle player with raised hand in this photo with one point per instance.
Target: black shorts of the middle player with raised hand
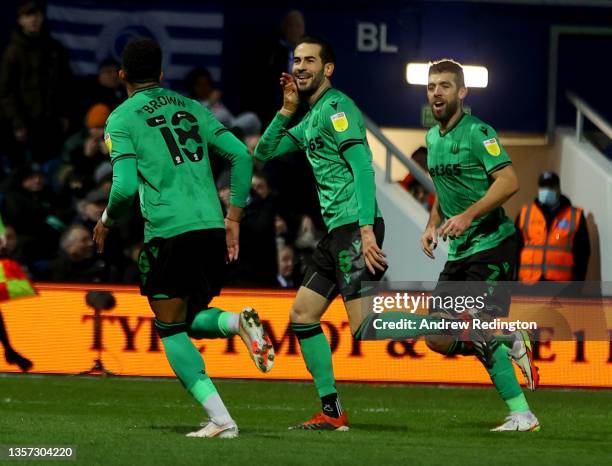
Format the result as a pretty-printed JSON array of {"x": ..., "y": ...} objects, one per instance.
[{"x": 337, "y": 264}]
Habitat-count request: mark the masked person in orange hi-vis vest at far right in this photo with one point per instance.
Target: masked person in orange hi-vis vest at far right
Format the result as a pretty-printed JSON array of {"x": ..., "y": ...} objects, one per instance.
[{"x": 554, "y": 236}]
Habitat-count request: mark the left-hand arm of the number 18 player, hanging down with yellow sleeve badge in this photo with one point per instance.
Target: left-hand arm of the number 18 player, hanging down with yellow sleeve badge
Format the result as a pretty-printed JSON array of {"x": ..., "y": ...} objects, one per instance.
[{"x": 125, "y": 177}]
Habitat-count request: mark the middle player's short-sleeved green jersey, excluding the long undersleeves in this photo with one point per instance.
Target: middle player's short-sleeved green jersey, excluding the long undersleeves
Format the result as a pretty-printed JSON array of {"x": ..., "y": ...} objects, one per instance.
[{"x": 333, "y": 124}]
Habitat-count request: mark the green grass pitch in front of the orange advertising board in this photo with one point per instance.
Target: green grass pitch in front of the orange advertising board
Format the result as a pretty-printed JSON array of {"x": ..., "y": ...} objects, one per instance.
[{"x": 144, "y": 421}]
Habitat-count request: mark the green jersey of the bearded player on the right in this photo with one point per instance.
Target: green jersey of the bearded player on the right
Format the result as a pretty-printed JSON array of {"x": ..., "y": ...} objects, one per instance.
[{"x": 460, "y": 162}]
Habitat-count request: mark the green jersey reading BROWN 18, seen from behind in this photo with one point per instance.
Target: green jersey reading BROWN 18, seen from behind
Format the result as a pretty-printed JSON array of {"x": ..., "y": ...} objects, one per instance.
[{"x": 170, "y": 136}]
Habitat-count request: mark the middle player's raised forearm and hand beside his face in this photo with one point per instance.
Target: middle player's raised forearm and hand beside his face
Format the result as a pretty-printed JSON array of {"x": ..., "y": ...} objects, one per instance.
[{"x": 277, "y": 140}]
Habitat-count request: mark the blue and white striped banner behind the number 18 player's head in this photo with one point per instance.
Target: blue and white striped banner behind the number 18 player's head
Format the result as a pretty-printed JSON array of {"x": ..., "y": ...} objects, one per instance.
[{"x": 91, "y": 34}]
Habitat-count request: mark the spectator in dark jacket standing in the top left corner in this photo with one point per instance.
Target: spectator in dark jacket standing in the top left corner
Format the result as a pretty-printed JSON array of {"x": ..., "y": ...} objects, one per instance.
[{"x": 35, "y": 79}]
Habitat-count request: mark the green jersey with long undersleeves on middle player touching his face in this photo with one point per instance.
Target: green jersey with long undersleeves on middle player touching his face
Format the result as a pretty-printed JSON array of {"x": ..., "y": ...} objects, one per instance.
[{"x": 326, "y": 133}]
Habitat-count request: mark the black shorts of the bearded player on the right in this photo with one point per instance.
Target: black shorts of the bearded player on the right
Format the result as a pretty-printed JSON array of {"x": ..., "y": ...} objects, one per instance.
[{"x": 489, "y": 269}]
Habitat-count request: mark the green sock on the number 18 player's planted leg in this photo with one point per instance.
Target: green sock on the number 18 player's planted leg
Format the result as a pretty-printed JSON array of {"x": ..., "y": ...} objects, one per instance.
[{"x": 185, "y": 360}]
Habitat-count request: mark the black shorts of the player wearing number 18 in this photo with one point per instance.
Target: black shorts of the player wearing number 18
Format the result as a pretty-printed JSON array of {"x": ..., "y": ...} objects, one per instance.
[{"x": 190, "y": 265}]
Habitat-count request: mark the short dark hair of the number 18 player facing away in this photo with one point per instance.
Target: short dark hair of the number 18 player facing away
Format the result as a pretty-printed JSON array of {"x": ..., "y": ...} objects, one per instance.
[{"x": 141, "y": 60}]
